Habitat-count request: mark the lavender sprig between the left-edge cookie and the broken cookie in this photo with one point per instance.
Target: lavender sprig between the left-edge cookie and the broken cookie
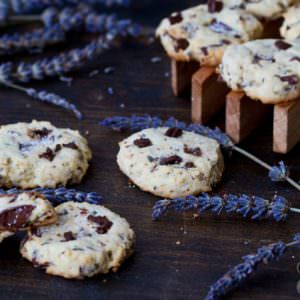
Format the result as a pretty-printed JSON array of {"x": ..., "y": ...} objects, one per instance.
[{"x": 61, "y": 195}]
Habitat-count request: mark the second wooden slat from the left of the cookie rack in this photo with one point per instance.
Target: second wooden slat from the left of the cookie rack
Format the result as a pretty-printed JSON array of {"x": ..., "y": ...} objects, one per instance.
[{"x": 208, "y": 95}]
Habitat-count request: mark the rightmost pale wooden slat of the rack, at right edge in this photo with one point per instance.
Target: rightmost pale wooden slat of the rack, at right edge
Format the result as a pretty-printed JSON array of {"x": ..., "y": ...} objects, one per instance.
[{"x": 286, "y": 127}]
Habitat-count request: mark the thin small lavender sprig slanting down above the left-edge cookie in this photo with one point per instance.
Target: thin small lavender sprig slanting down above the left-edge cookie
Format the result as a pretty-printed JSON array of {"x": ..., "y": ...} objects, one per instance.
[{"x": 46, "y": 97}]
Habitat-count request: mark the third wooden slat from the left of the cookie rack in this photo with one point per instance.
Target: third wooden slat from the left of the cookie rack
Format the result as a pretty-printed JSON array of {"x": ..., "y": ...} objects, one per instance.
[{"x": 243, "y": 115}]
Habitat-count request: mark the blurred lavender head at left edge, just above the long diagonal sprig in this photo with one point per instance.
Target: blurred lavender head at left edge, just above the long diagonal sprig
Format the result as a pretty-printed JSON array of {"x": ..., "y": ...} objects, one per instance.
[{"x": 30, "y": 41}]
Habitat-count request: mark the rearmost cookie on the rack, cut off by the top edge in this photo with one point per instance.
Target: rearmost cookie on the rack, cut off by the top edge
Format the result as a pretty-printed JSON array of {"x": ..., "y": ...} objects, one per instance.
[{"x": 263, "y": 9}]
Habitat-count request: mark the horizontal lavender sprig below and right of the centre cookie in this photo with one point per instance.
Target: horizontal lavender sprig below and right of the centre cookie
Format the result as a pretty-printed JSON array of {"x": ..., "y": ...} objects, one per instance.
[{"x": 253, "y": 207}]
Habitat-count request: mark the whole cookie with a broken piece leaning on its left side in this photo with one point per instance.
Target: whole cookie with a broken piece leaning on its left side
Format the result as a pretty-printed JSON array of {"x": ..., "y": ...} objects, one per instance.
[{"x": 86, "y": 240}]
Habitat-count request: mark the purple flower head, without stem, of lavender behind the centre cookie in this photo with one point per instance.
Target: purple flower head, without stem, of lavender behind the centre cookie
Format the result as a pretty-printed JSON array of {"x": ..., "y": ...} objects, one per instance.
[{"x": 136, "y": 123}]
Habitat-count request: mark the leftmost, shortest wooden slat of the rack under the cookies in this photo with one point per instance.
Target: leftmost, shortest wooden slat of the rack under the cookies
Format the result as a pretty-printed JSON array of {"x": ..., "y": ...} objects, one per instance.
[{"x": 181, "y": 75}]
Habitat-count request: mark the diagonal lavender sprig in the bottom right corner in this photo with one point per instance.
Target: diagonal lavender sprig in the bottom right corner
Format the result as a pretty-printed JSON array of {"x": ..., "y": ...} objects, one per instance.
[{"x": 238, "y": 274}]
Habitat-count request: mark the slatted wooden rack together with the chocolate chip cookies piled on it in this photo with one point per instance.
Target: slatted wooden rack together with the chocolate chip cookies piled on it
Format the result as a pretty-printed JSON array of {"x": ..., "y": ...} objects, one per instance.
[{"x": 227, "y": 42}]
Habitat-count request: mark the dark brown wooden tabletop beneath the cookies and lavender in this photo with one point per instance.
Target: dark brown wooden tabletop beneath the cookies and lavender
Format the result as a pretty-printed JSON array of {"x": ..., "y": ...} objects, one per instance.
[{"x": 178, "y": 257}]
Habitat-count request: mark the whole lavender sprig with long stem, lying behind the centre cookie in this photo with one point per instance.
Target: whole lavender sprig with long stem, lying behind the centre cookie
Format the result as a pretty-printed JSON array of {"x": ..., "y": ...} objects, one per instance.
[{"x": 136, "y": 123}]
